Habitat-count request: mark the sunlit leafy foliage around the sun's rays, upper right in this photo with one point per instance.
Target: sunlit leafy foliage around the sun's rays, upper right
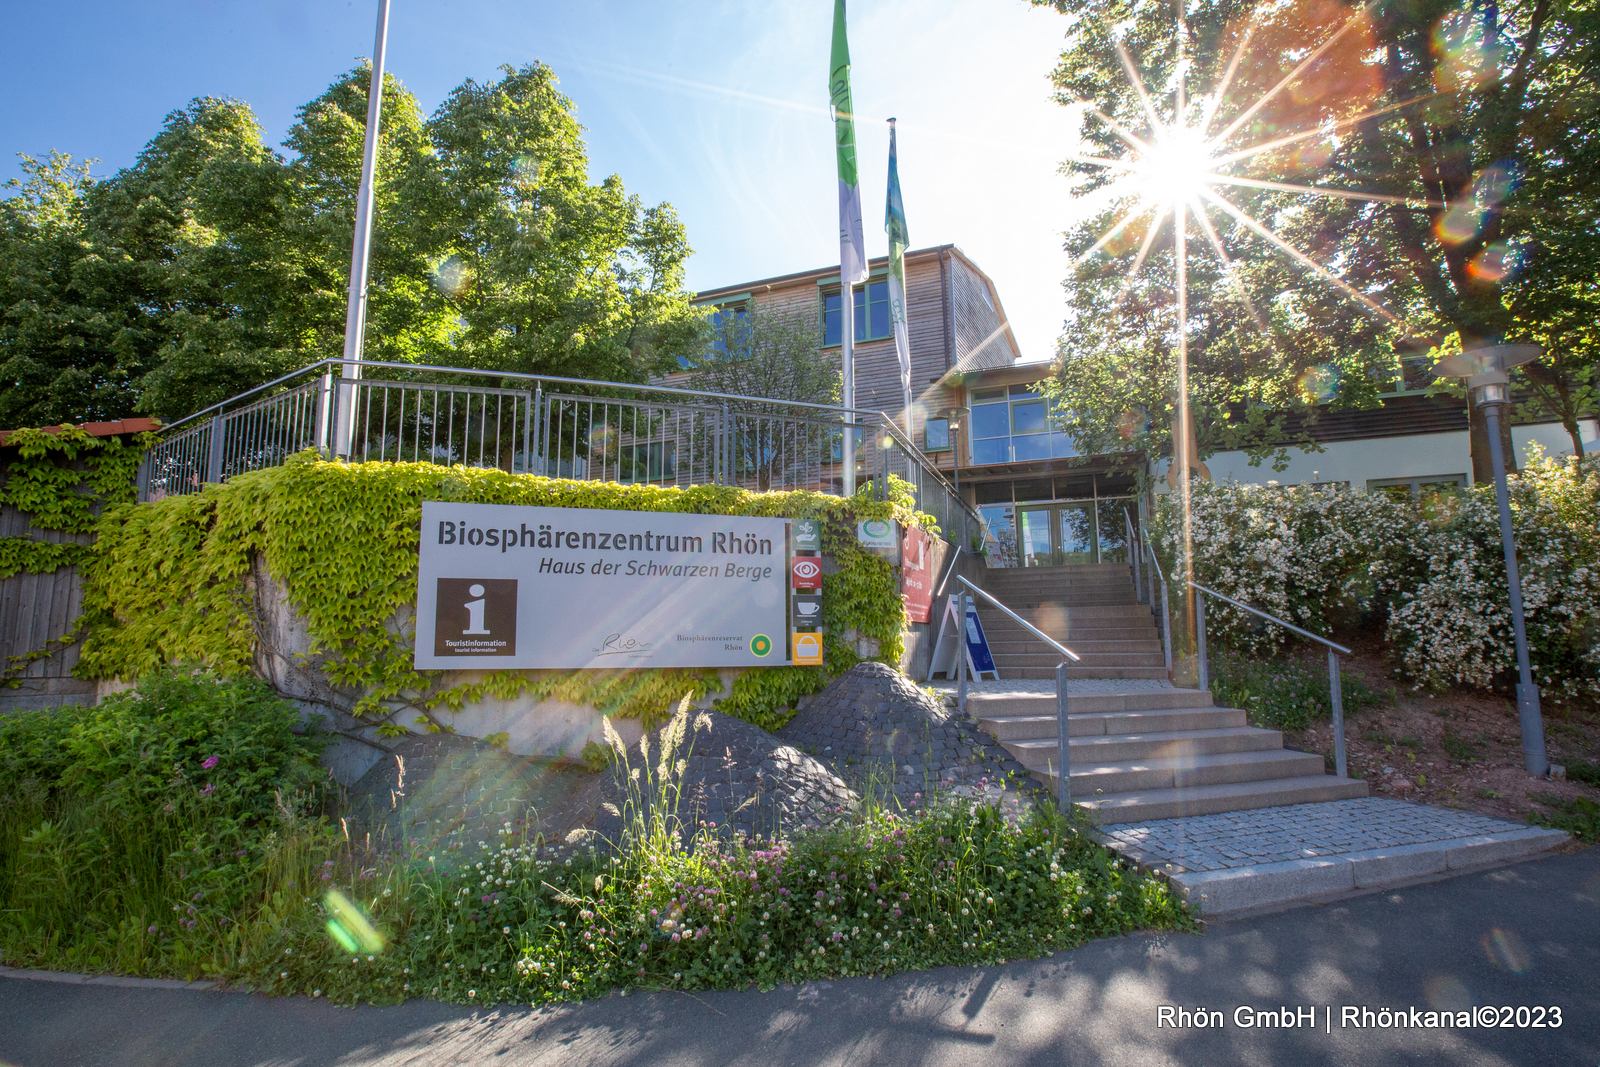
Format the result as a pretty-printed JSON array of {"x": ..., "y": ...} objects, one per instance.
[{"x": 1474, "y": 126}]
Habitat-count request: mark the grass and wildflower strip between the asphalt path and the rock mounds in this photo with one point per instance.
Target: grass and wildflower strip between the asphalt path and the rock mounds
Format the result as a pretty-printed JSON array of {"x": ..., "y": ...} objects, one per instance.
[{"x": 271, "y": 892}]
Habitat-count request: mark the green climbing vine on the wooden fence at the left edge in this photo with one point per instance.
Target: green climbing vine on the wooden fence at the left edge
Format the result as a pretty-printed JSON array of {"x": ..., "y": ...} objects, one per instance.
[{"x": 58, "y": 479}]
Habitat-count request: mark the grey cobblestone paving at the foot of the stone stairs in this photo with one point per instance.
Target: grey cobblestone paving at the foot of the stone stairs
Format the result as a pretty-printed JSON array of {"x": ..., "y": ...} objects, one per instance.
[{"x": 1268, "y": 836}]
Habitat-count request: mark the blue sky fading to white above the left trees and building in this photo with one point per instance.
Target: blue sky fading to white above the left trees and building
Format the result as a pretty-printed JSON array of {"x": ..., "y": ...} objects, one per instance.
[{"x": 718, "y": 108}]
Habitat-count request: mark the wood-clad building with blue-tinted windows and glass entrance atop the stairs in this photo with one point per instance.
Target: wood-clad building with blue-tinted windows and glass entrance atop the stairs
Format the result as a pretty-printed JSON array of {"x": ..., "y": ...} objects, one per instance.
[{"x": 1041, "y": 500}]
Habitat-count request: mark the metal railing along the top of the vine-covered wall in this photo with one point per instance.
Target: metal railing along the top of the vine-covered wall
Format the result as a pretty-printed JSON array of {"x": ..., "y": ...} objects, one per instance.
[{"x": 550, "y": 426}]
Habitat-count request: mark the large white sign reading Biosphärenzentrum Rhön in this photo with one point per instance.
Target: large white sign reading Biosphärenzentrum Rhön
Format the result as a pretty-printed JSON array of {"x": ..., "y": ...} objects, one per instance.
[{"x": 508, "y": 586}]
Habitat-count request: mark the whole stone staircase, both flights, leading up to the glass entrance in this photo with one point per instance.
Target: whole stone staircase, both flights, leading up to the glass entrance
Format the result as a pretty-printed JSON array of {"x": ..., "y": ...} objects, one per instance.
[{"x": 1137, "y": 754}]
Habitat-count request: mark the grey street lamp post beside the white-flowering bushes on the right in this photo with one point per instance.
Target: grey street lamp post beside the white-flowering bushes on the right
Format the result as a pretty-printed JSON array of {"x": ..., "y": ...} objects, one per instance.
[{"x": 1486, "y": 372}]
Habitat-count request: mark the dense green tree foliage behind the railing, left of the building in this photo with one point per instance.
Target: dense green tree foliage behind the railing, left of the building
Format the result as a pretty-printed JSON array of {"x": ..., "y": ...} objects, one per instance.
[{"x": 215, "y": 263}]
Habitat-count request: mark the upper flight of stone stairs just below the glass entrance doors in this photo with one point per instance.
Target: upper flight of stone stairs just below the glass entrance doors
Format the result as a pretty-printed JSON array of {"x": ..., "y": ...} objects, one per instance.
[{"x": 1092, "y": 610}]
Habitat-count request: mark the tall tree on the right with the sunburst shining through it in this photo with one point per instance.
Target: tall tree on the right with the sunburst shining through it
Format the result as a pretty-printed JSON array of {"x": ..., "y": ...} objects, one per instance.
[{"x": 1474, "y": 127}]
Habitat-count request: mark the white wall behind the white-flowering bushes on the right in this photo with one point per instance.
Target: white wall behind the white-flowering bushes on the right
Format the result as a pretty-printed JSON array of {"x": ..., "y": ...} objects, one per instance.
[{"x": 1417, "y": 455}]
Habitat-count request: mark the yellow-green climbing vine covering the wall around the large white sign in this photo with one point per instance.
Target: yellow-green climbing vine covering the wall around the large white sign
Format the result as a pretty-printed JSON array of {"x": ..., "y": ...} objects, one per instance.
[{"x": 175, "y": 583}]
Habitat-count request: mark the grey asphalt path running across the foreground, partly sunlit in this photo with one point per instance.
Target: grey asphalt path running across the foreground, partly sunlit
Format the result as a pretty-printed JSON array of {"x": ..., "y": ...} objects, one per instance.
[{"x": 1522, "y": 937}]
